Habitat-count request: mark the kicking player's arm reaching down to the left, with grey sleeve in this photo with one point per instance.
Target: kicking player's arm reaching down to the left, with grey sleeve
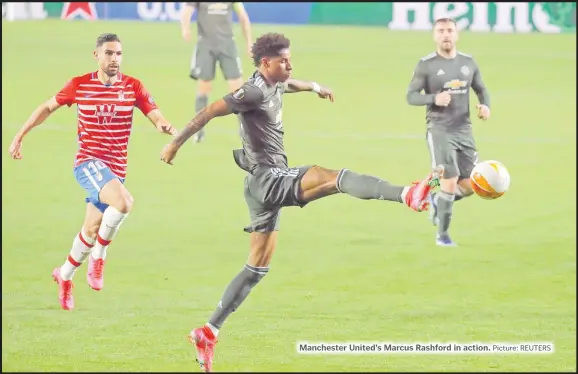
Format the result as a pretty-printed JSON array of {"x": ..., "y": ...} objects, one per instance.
[{"x": 246, "y": 98}]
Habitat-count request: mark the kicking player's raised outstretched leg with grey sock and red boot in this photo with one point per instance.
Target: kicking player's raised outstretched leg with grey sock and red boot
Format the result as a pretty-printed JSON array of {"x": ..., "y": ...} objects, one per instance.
[{"x": 319, "y": 182}]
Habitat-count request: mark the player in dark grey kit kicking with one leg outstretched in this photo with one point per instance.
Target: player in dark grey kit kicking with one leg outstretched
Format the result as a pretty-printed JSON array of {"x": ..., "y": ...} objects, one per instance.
[{"x": 270, "y": 183}]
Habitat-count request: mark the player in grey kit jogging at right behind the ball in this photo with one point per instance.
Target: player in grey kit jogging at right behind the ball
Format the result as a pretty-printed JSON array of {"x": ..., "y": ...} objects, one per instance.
[{"x": 446, "y": 76}]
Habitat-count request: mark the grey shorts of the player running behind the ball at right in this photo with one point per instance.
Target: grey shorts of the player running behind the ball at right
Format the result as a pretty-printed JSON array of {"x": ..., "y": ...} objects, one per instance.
[{"x": 455, "y": 150}]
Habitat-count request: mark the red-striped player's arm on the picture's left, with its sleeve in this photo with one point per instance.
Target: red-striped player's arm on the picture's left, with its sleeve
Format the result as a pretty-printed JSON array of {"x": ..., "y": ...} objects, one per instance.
[{"x": 66, "y": 96}]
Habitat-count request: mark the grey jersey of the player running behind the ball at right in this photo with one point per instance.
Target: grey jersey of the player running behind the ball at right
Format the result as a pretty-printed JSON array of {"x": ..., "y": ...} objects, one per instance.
[{"x": 435, "y": 74}]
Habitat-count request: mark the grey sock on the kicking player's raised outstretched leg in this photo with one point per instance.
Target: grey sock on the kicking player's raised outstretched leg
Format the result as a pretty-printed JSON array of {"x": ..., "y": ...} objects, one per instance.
[{"x": 367, "y": 187}]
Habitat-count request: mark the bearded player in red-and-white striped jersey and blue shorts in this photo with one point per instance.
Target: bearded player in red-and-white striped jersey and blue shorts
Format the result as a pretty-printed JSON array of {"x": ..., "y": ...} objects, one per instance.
[{"x": 105, "y": 101}]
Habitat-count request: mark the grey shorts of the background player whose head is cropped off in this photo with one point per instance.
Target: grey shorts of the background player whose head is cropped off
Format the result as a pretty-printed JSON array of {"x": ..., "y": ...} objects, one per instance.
[{"x": 205, "y": 57}]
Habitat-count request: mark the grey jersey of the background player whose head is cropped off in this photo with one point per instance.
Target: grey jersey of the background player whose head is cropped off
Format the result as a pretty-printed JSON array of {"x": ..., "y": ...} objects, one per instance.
[{"x": 214, "y": 21}]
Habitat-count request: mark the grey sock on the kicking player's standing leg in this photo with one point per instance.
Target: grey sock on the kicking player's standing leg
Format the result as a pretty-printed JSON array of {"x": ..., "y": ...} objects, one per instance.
[{"x": 236, "y": 292}]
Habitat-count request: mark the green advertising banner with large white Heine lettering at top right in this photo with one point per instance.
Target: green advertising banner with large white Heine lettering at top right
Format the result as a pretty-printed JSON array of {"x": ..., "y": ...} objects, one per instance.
[{"x": 480, "y": 17}]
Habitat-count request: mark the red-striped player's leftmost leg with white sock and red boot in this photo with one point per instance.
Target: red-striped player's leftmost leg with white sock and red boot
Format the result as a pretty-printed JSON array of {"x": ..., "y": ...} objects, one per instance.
[{"x": 80, "y": 251}]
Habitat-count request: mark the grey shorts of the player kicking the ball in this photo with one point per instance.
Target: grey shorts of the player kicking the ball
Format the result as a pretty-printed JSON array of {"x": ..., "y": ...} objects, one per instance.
[{"x": 268, "y": 190}]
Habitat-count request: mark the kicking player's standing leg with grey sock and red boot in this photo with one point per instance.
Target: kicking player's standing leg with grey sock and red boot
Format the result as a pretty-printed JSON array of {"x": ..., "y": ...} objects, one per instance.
[{"x": 204, "y": 338}]
